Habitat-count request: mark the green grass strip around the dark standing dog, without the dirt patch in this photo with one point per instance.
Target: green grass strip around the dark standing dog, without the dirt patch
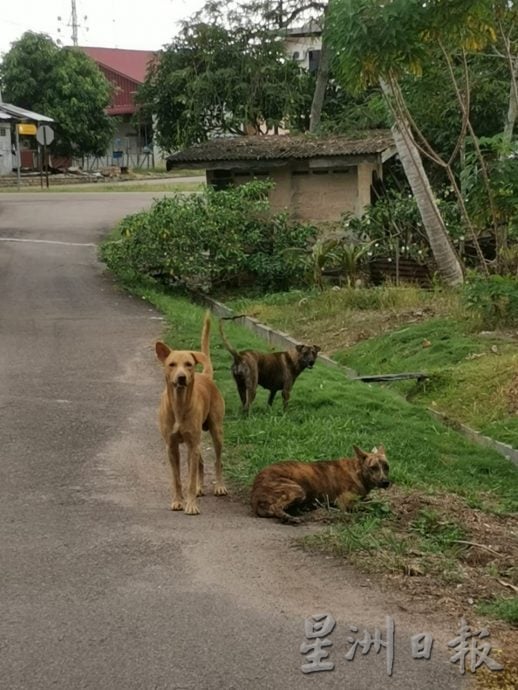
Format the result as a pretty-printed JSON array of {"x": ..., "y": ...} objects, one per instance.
[{"x": 329, "y": 413}]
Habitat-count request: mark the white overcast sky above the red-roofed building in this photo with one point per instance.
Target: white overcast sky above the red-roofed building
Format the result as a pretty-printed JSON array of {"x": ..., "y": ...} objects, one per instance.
[{"x": 109, "y": 23}]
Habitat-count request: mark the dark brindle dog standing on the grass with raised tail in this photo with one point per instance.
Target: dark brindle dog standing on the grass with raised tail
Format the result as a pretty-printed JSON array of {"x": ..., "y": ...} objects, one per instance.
[{"x": 275, "y": 371}]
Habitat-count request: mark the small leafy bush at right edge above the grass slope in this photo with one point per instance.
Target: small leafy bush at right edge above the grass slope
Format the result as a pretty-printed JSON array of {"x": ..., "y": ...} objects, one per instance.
[{"x": 494, "y": 298}]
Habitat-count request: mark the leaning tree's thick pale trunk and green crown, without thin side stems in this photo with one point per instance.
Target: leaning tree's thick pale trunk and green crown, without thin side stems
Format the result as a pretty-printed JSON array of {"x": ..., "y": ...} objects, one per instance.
[{"x": 376, "y": 42}]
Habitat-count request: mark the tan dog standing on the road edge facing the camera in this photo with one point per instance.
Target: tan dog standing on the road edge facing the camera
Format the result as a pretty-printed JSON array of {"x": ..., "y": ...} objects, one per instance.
[{"x": 190, "y": 404}]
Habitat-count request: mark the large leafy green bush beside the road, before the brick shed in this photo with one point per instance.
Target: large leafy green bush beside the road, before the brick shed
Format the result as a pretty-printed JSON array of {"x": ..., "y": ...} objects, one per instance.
[{"x": 213, "y": 239}]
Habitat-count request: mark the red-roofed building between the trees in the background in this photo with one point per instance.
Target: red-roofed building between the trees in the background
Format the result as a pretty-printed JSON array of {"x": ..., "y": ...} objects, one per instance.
[{"x": 126, "y": 70}]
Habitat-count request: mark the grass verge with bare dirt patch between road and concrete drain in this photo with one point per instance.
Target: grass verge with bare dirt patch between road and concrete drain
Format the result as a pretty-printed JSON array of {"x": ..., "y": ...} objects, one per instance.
[{"x": 446, "y": 527}]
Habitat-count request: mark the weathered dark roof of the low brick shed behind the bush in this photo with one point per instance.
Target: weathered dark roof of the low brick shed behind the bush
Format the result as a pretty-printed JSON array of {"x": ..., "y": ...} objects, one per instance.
[{"x": 277, "y": 147}]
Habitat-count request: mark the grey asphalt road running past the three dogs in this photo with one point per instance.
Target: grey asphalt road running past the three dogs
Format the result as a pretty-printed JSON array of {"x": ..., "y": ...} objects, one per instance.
[{"x": 101, "y": 585}]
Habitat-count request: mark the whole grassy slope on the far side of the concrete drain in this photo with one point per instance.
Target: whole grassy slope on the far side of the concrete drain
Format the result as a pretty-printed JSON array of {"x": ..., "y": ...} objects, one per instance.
[{"x": 474, "y": 376}]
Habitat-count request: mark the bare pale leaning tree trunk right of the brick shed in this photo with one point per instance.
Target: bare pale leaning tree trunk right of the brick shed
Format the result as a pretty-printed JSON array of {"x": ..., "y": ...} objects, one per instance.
[{"x": 443, "y": 251}]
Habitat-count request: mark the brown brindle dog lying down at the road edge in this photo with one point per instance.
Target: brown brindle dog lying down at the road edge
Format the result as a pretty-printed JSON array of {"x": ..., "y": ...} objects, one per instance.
[{"x": 299, "y": 484}]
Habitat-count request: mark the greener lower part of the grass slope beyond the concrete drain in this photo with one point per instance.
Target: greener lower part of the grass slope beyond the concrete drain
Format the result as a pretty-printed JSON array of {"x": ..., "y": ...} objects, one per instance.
[{"x": 468, "y": 379}]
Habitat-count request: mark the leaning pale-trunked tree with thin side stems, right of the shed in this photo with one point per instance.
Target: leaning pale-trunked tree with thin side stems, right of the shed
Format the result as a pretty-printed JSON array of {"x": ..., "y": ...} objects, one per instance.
[{"x": 386, "y": 40}]
